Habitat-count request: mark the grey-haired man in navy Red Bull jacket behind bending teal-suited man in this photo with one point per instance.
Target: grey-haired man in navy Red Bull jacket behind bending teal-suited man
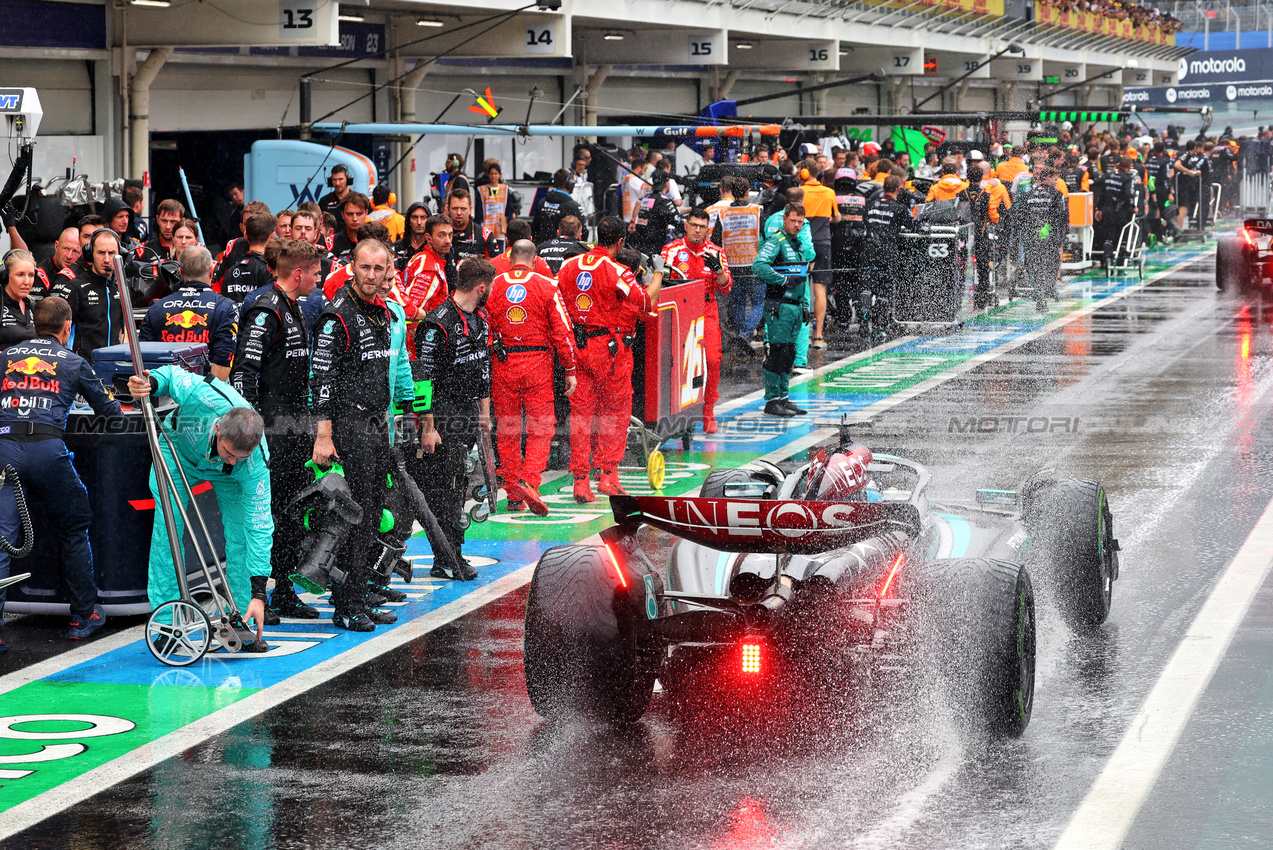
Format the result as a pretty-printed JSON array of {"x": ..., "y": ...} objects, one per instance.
[{"x": 195, "y": 314}]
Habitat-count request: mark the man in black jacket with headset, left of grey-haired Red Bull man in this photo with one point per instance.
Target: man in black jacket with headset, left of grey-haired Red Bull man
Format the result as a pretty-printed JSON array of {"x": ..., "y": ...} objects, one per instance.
[{"x": 96, "y": 312}]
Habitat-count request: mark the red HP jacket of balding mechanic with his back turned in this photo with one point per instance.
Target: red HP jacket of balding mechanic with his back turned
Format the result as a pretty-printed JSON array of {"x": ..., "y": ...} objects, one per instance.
[{"x": 528, "y": 315}]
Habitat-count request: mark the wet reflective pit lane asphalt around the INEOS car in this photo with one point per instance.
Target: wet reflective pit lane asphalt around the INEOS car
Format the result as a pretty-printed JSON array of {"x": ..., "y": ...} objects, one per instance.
[{"x": 436, "y": 745}]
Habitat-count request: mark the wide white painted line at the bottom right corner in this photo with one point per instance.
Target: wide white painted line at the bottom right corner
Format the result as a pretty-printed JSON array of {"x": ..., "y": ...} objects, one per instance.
[{"x": 1106, "y": 816}]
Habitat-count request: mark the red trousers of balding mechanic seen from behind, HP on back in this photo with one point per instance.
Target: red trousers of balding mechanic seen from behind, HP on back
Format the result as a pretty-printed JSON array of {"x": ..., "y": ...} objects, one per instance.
[{"x": 524, "y": 385}]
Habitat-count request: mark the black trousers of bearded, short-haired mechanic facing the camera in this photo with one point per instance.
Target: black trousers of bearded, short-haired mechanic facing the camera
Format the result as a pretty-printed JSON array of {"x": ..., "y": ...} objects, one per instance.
[{"x": 365, "y": 454}]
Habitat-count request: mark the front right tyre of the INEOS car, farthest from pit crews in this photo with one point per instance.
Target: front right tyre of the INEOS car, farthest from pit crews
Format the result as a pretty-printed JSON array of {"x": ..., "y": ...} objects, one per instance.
[{"x": 1073, "y": 544}]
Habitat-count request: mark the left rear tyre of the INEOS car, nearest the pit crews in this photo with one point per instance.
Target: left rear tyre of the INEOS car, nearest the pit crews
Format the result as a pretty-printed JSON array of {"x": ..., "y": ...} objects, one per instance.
[{"x": 582, "y": 647}]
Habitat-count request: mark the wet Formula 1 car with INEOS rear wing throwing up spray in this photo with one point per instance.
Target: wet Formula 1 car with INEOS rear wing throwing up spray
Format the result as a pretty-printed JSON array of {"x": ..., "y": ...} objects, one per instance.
[{"x": 843, "y": 559}]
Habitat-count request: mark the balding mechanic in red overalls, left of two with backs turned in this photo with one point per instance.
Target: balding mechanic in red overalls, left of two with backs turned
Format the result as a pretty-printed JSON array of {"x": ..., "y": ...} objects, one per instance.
[{"x": 528, "y": 323}]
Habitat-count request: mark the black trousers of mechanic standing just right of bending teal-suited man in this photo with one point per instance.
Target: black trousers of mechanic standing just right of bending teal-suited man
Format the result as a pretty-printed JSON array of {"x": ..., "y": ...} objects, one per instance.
[{"x": 291, "y": 442}]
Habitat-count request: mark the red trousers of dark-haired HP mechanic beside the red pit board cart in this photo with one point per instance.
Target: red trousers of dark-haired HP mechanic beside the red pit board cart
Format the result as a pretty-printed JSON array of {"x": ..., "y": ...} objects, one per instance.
[{"x": 601, "y": 408}]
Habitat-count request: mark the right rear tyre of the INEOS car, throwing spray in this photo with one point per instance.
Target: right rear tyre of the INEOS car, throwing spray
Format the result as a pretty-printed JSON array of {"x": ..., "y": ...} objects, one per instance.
[{"x": 978, "y": 618}]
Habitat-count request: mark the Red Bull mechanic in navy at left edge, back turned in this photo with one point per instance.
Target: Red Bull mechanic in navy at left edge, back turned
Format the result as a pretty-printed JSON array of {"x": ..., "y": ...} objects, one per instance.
[{"x": 40, "y": 382}]
